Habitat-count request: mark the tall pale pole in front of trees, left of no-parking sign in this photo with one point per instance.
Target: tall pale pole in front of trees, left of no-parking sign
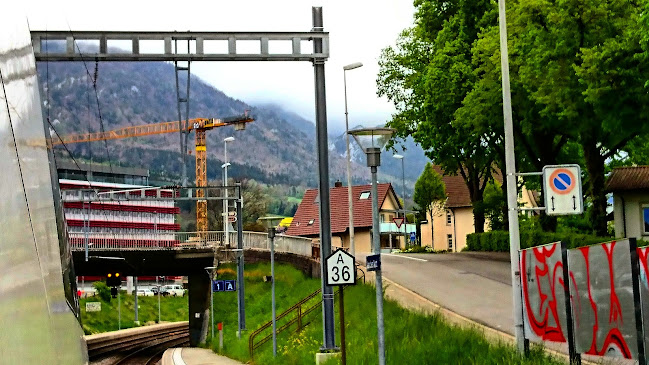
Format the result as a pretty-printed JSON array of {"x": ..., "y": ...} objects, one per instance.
[{"x": 510, "y": 163}]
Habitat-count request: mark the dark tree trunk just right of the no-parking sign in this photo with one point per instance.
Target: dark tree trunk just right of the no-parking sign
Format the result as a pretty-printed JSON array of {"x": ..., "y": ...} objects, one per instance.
[{"x": 595, "y": 167}]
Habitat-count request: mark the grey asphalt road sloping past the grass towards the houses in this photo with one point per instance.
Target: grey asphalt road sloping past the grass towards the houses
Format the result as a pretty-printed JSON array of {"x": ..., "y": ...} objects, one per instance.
[{"x": 474, "y": 285}]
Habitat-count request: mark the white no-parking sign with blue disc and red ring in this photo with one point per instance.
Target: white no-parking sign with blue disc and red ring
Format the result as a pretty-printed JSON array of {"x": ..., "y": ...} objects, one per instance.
[{"x": 562, "y": 190}]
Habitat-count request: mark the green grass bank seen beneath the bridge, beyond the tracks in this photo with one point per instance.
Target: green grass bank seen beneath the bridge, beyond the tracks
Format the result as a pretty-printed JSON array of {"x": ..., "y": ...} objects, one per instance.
[{"x": 172, "y": 309}]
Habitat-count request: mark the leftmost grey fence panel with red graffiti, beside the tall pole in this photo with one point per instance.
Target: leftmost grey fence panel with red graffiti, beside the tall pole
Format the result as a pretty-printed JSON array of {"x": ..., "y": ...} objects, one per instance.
[{"x": 544, "y": 293}]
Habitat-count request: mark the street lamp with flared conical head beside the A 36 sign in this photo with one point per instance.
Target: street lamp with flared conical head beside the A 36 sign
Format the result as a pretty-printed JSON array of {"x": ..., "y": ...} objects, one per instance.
[{"x": 371, "y": 141}]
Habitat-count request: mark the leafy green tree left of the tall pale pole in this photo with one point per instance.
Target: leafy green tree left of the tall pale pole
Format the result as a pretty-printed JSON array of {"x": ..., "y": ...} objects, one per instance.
[{"x": 427, "y": 76}]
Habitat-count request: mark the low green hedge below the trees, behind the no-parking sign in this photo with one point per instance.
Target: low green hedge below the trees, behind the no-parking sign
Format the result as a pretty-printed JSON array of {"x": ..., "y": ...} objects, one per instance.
[{"x": 498, "y": 241}]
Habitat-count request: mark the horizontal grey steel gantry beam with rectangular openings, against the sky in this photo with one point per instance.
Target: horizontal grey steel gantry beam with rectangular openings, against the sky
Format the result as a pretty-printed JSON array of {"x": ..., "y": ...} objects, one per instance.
[{"x": 159, "y": 46}]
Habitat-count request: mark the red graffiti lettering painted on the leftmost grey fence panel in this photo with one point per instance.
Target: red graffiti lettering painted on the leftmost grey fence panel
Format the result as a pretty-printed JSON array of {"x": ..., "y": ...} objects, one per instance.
[{"x": 544, "y": 320}]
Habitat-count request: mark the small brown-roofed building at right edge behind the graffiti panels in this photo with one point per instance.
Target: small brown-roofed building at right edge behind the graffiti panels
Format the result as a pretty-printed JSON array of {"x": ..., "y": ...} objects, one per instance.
[{"x": 630, "y": 188}]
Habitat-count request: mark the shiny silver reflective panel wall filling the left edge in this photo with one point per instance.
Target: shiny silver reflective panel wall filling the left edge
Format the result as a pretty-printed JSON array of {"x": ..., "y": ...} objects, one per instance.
[{"x": 36, "y": 320}]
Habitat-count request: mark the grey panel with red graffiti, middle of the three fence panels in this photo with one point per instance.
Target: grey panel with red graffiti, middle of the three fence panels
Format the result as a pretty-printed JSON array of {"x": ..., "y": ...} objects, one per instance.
[{"x": 601, "y": 287}]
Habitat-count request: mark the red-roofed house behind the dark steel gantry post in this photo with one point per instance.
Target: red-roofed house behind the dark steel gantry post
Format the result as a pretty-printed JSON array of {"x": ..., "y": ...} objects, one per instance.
[{"x": 306, "y": 220}]
